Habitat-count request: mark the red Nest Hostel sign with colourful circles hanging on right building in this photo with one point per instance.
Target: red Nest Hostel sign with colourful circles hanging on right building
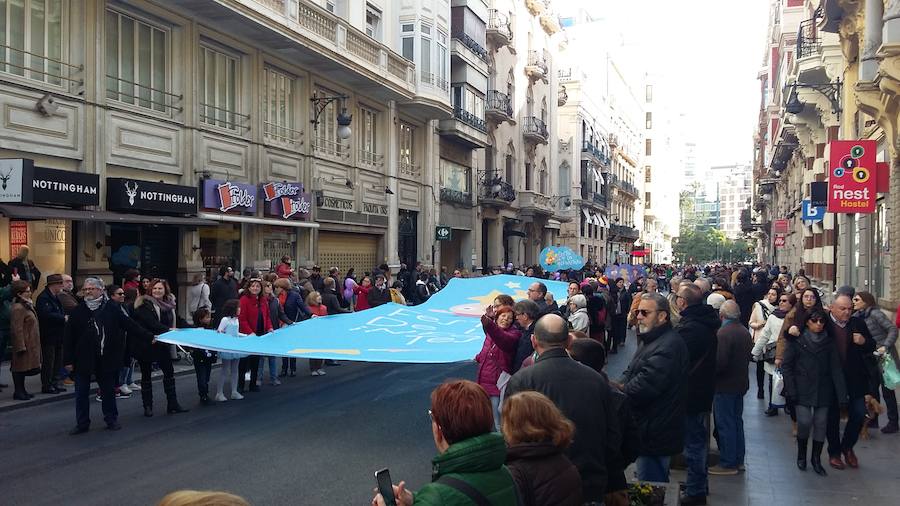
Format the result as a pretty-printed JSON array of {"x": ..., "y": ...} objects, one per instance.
[{"x": 852, "y": 176}]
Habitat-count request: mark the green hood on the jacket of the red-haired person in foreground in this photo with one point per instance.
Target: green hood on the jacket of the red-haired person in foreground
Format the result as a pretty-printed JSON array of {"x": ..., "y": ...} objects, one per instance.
[{"x": 478, "y": 454}]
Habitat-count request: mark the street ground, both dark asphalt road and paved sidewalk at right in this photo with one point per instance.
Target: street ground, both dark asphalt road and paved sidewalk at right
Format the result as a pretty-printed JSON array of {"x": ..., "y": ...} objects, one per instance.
[{"x": 319, "y": 441}]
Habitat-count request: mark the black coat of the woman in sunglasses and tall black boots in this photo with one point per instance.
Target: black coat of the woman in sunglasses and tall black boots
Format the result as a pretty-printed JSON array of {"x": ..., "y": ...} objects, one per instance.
[{"x": 813, "y": 375}]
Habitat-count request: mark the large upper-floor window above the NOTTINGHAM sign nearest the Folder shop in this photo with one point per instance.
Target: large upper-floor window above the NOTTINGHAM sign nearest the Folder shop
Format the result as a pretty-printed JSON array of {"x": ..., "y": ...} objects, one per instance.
[{"x": 136, "y": 62}]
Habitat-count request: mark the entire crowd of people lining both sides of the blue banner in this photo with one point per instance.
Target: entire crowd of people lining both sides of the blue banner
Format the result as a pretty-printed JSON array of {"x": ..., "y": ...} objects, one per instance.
[{"x": 541, "y": 423}]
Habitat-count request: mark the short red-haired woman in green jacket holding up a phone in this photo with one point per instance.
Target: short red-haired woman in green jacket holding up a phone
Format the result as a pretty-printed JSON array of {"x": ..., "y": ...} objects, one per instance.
[{"x": 469, "y": 468}]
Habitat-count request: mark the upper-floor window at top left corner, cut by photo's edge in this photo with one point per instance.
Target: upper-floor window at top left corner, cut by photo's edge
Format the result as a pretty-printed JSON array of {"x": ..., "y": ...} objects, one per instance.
[{"x": 31, "y": 39}]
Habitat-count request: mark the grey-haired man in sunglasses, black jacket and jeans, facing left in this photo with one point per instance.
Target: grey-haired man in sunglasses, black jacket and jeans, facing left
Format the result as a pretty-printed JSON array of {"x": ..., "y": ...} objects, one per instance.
[{"x": 656, "y": 387}]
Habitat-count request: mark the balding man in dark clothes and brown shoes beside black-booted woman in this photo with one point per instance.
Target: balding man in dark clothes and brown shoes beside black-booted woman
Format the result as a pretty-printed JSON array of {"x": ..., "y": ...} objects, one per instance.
[{"x": 855, "y": 346}]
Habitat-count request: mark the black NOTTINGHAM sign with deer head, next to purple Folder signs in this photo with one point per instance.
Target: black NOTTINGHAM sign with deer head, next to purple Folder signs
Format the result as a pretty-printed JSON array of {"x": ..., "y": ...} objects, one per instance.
[{"x": 125, "y": 194}]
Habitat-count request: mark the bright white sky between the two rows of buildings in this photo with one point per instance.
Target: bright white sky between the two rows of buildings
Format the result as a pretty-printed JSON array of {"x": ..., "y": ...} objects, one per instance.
[{"x": 707, "y": 53}]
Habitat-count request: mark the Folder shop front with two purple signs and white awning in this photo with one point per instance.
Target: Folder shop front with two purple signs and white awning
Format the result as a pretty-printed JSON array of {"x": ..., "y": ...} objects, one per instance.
[{"x": 258, "y": 225}]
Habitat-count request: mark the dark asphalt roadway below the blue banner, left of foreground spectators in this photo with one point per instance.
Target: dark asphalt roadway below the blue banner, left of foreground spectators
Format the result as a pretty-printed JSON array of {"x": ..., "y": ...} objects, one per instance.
[{"x": 310, "y": 441}]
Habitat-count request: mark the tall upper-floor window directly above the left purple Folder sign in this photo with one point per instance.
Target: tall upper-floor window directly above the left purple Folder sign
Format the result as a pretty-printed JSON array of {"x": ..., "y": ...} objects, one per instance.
[{"x": 218, "y": 90}]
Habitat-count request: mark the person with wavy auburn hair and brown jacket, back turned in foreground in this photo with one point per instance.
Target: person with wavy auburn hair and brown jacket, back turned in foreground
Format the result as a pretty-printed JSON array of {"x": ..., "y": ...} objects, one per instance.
[{"x": 537, "y": 435}]
